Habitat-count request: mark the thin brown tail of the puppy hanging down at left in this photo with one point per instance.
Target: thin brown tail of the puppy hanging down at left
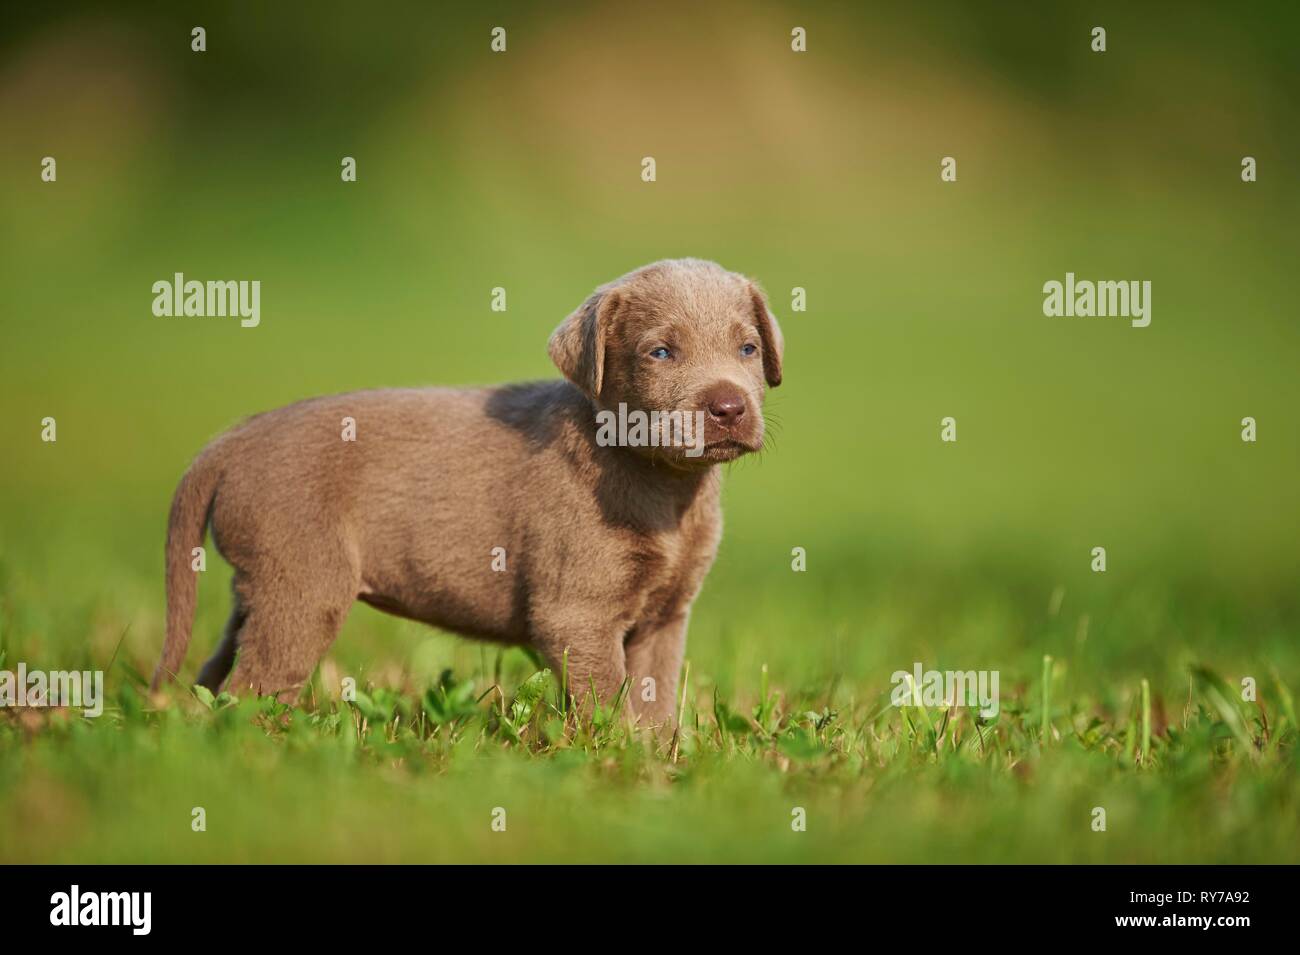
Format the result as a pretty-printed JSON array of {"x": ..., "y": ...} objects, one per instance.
[{"x": 185, "y": 529}]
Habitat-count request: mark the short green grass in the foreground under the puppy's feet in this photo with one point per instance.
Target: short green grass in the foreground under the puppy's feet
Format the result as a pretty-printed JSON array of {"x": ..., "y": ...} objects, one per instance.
[{"x": 414, "y": 770}]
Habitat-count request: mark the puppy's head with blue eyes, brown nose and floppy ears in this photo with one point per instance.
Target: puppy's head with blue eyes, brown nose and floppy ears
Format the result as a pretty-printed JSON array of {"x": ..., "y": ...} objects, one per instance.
[{"x": 681, "y": 337}]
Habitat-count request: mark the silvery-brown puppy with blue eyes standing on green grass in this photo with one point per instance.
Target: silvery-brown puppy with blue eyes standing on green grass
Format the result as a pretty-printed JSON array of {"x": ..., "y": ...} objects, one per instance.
[{"x": 499, "y": 514}]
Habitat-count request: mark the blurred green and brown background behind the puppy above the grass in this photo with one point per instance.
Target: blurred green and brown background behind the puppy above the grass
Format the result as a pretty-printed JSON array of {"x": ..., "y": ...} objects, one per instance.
[{"x": 820, "y": 171}]
